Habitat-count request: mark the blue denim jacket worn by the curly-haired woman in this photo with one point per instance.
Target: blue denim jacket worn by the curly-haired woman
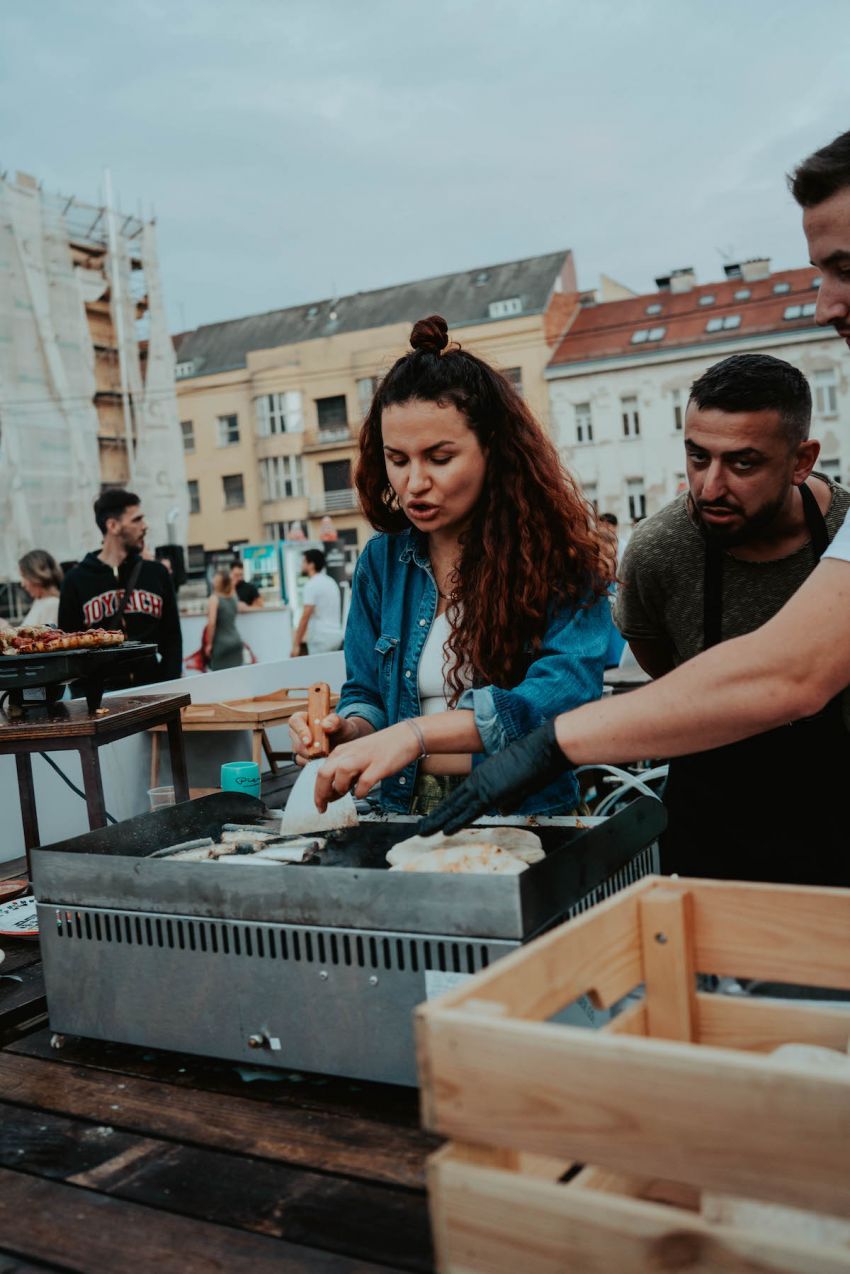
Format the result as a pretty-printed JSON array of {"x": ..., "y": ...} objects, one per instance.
[{"x": 394, "y": 603}]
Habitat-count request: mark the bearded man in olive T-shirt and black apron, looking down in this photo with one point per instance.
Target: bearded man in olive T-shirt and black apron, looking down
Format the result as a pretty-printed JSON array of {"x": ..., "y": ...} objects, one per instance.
[{"x": 719, "y": 562}]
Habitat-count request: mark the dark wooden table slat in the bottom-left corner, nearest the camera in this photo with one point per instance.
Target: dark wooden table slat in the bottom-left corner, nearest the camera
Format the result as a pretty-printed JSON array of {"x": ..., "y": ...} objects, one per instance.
[{"x": 83, "y": 1231}]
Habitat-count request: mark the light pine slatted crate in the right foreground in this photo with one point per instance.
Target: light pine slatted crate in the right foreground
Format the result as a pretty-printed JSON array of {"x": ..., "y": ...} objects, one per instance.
[{"x": 675, "y": 1098}]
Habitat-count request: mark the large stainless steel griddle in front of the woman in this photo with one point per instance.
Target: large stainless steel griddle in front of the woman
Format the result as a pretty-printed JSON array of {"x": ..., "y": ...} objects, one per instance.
[{"x": 314, "y": 966}]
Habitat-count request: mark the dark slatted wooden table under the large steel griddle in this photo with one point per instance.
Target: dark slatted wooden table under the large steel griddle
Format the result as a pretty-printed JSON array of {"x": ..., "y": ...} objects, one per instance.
[{"x": 127, "y": 1160}]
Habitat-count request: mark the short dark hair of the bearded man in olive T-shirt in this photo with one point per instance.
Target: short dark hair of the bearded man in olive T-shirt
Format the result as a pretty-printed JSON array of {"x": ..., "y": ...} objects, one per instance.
[{"x": 758, "y": 383}]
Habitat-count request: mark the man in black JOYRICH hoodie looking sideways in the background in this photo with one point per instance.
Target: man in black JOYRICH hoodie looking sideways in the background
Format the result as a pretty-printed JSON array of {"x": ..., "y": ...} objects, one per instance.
[{"x": 94, "y": 590}]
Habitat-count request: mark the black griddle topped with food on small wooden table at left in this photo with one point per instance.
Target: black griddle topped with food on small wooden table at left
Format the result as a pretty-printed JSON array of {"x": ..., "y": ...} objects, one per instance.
[{"x": 38, "y": 681}]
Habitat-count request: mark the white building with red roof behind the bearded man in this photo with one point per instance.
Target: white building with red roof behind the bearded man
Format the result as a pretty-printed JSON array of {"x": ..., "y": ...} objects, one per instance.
[{"x": 621, "y": 376}]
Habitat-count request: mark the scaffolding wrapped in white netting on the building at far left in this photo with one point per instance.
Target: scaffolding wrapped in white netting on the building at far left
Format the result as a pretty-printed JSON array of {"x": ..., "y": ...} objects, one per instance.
[{"x": 87, "y": 375}]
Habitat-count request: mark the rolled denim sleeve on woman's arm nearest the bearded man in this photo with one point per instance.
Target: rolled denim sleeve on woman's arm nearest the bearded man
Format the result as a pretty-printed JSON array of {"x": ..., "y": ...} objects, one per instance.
[{"x": 566, "y": 673}]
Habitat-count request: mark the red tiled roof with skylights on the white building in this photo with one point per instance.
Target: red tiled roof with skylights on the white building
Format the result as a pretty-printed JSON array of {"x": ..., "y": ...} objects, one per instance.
[{"x": 606, "y": 331}]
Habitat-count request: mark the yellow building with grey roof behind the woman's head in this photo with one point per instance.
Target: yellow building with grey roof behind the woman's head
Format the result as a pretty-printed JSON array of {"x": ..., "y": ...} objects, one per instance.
[{"x": 271, "y": 406}]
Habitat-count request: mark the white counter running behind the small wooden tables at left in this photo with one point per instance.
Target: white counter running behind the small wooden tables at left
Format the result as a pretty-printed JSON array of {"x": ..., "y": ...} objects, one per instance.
[{"x": 126, "y": 765}]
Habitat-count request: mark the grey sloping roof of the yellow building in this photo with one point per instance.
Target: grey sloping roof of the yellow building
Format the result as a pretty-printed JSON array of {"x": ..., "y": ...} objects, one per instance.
[{"x": 461, "y": 299}]
